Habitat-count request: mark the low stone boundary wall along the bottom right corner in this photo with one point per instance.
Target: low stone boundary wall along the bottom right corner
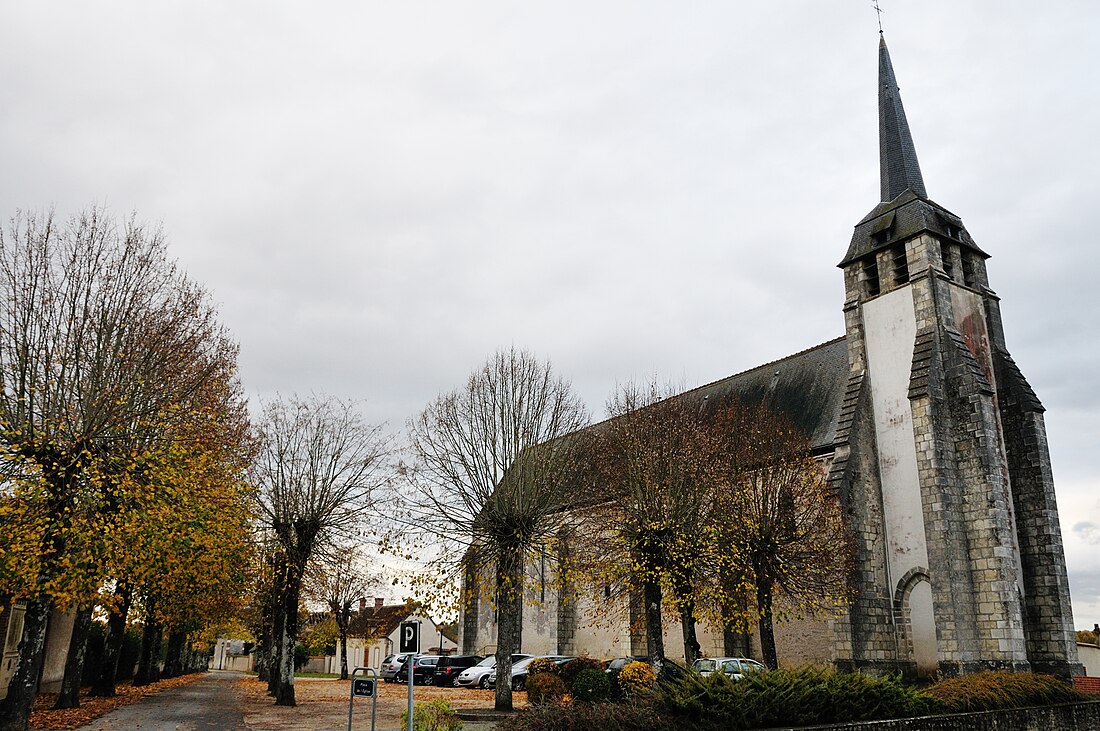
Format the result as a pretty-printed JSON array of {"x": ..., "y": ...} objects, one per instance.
[{"x": 1072, "y": 717}]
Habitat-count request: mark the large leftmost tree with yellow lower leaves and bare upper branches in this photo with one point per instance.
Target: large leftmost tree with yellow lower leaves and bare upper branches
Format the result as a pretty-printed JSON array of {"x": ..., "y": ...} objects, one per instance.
[{"x": 92, "y": 316}]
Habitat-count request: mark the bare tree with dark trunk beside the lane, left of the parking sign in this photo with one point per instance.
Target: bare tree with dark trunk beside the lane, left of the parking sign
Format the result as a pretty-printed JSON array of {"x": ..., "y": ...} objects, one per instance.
[{"x": 318, "y": 468}]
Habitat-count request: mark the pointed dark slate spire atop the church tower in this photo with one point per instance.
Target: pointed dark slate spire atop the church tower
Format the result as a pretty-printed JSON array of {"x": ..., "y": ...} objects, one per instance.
[{"x": 898, "y": 164}]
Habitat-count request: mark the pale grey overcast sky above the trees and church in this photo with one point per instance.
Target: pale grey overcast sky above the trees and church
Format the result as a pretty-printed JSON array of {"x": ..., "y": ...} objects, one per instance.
[{"x": 381, "y": 195}]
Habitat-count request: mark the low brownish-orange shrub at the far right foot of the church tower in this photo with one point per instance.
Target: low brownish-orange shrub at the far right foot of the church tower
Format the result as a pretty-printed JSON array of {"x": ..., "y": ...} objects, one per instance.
[{"x": 985, "y": 692}]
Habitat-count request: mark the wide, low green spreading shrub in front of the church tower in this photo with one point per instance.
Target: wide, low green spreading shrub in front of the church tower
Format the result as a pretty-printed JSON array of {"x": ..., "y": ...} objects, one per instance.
[{"x": 800, "y": 697}]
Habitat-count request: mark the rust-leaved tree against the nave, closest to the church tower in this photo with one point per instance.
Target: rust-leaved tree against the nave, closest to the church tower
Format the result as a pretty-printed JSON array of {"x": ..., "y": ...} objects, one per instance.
[{"x": 785, "y": 534}]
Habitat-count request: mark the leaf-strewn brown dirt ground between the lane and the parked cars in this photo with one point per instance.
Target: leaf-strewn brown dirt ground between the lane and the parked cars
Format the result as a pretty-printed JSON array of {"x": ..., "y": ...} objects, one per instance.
[{"x": 323, "y": 706}]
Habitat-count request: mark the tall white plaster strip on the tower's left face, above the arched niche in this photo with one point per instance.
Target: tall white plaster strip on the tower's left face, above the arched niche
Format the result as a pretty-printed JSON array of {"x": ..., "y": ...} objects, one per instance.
[{"x": 890, "y": 333}]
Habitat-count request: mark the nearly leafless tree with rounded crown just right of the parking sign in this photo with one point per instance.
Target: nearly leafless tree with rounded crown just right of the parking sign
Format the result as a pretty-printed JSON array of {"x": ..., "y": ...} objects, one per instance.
[{"x": 493, "y": 470}]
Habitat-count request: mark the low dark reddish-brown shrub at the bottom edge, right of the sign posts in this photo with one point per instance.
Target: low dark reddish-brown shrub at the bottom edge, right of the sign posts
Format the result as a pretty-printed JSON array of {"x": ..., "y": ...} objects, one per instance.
[{"x": 578, "y": 717}]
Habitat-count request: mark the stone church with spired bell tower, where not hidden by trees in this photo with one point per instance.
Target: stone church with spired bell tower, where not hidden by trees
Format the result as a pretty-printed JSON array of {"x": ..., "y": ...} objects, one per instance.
[{"x": 936, "y": 445}]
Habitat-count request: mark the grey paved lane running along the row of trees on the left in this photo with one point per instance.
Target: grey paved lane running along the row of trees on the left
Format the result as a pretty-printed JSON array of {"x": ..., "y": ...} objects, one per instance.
[{"x": 210, "y": 704}]
